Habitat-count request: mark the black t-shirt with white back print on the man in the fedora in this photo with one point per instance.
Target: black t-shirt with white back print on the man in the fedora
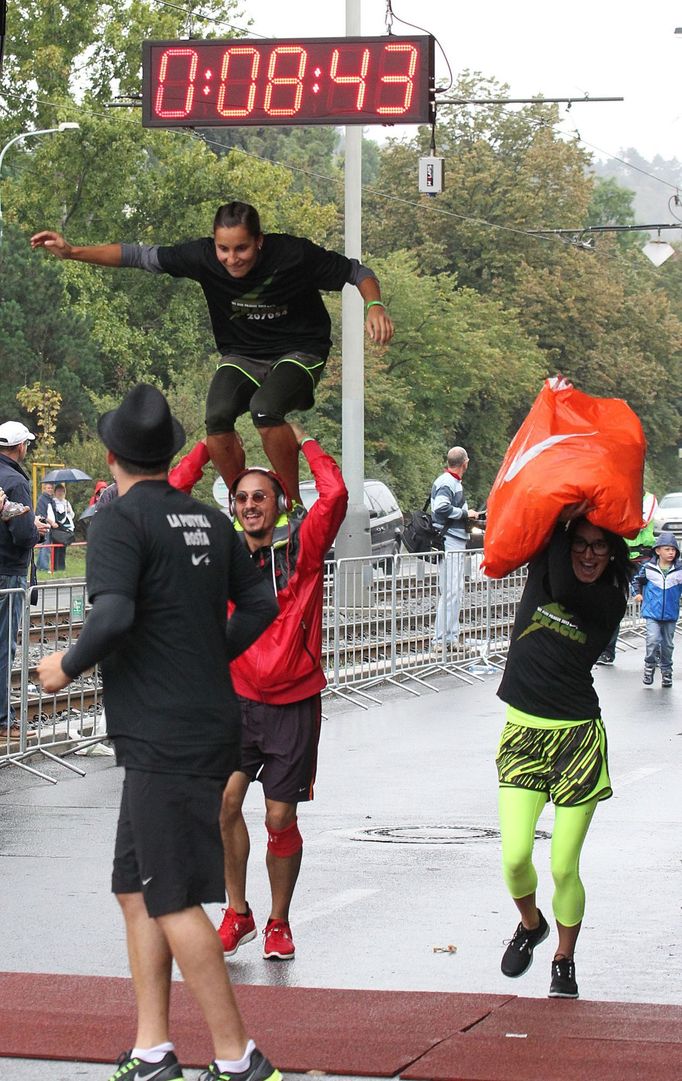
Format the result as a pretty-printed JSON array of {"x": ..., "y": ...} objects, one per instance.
[{"x": 169, "y": 698}]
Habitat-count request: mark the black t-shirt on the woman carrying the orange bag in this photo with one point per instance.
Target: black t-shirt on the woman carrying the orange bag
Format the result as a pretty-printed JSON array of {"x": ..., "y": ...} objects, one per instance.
[{"x": 561, "y": 628}]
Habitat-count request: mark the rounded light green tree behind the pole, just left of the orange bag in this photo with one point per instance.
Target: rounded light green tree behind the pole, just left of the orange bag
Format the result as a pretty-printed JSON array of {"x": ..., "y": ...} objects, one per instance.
[{"x": 461, "y": 369}]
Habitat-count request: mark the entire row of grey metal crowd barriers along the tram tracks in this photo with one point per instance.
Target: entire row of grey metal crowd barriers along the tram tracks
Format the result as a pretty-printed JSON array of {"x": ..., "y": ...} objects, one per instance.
[{"x": 398, "y": 620}]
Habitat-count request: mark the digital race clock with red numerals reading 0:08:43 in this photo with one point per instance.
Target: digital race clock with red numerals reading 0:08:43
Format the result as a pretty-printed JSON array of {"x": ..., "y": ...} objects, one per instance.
[{"x": 288, "y": 82}]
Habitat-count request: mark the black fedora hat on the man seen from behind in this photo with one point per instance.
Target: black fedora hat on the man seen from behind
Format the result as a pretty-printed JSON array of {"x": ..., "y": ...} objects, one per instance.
[{"x": 142, "y": 430}]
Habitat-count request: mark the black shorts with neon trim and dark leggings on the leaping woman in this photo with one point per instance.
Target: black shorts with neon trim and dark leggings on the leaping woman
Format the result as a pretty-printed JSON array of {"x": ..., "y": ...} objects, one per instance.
[{"x": 269, "y": 390}]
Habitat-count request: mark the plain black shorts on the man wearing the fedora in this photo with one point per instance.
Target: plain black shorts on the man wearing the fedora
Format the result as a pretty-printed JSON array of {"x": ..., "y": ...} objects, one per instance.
[{"x": 168, "y": 843}]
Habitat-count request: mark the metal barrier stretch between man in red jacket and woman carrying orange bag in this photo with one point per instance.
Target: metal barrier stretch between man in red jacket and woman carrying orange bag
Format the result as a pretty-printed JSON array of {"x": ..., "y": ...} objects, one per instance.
[{"x": 403, "y": 619}]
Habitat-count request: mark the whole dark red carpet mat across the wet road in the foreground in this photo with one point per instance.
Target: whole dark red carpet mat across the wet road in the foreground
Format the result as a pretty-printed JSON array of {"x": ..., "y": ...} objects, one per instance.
[{"x": 420, "y": 1036}]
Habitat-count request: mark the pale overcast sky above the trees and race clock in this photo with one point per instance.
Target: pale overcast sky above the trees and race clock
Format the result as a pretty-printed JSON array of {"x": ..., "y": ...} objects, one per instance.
[{"x": 560, "y": 50}]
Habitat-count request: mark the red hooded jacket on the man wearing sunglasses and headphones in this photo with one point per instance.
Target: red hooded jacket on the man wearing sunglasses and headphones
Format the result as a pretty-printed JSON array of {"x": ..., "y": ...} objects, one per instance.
[{"x": 286, "y": 663}]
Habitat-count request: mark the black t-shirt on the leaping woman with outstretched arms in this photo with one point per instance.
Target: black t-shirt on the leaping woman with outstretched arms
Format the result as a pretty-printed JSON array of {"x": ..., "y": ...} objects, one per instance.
[{"x": 277, "y": 308}]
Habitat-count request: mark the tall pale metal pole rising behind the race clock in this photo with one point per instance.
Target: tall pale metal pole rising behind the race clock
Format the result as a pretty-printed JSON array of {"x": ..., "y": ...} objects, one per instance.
[{"x": 354, "y": 538}]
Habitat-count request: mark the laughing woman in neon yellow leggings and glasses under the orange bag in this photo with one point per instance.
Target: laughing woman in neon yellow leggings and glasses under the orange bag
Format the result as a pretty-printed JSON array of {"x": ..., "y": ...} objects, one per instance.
[{"x": 554, "y": 745}]
